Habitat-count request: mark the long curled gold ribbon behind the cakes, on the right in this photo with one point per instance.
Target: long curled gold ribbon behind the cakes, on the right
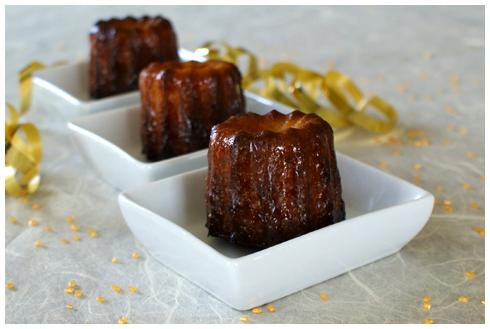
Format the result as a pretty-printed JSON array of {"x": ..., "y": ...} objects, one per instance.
[{"x": 308, "y": 90}]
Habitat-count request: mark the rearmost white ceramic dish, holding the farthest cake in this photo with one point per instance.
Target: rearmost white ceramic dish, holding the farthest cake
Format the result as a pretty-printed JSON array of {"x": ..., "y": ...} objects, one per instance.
[{"x": 66, "y": 87}]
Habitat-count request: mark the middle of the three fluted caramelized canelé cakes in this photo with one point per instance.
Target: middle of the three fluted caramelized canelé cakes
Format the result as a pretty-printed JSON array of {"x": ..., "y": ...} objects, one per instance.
[{"x": 182, "y": 101}]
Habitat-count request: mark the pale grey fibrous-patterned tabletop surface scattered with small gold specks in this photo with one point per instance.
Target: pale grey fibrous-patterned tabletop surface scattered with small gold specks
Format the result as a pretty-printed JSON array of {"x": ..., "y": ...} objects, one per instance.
[{"x": 427, "y": 61}]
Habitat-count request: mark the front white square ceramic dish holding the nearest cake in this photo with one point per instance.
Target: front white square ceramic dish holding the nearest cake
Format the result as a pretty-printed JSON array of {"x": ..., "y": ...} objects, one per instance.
[{"x": 168, "y": 216}]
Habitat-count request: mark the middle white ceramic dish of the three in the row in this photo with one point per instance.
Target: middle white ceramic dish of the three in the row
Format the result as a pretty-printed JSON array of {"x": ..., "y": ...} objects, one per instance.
[{"x": 111, "y": 144}]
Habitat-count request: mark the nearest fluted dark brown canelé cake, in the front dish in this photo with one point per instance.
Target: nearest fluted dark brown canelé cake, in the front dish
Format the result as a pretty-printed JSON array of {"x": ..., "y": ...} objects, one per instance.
[{"x": 272, "y": 178}]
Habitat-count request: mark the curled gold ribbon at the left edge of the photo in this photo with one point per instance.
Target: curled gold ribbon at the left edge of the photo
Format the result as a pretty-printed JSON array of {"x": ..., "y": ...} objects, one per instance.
[{"x": 23, "y": 148}]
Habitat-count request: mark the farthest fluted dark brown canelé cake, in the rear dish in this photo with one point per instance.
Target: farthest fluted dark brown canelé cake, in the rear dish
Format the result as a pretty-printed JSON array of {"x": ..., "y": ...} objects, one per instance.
[{"x": 121, "y": 48}]
